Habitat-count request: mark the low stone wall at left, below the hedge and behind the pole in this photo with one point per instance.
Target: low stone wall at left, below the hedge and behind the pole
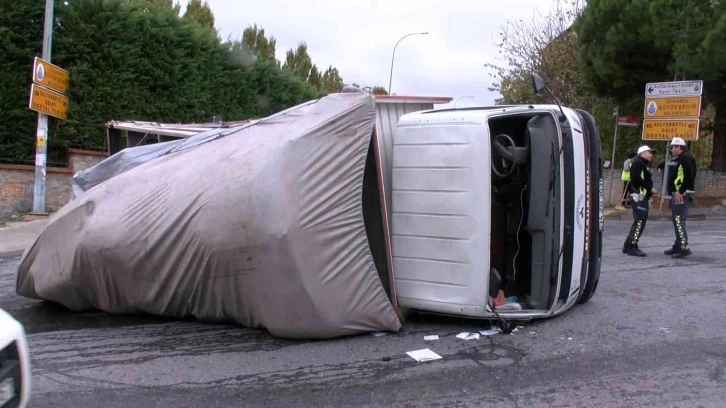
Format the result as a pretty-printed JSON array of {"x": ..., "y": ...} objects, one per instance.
[{"x": 17, "y": 181}]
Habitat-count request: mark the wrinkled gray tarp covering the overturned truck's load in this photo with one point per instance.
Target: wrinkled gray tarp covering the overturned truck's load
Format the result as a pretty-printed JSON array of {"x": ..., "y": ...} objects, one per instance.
[{"x": 263, "y": 227}]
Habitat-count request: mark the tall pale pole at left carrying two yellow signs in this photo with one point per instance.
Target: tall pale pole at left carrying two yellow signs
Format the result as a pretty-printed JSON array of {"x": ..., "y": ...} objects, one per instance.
[{"x": 41, "y": 149}]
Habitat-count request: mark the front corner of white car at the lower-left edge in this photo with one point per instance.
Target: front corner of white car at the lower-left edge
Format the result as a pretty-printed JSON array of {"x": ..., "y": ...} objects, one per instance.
[{"x": 14, "y": 363}]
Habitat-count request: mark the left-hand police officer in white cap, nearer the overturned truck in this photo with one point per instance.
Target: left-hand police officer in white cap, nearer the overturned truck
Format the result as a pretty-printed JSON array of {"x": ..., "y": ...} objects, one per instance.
[{"x": 641, "y": 189}]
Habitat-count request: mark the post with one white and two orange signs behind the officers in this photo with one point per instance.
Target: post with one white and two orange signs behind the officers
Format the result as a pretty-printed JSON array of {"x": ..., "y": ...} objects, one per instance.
[{"x": 672, "y": 109}]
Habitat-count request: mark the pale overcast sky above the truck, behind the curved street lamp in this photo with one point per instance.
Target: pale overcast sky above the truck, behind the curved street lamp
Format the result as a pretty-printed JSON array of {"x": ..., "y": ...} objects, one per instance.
[{"x": 358, "y": 36}]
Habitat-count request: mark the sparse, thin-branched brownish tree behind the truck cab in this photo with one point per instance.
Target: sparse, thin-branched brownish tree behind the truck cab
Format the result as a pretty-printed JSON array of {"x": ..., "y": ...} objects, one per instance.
[{"x": 547, "y": 45}]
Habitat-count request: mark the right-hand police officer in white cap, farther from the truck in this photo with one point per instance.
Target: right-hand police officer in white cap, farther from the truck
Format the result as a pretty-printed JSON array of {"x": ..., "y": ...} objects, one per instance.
[{"x": 681, "y": 188}]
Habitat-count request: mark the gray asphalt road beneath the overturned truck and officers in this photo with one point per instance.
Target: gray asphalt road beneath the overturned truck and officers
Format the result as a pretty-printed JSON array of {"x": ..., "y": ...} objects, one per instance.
[{"x": 654, "y": 335}]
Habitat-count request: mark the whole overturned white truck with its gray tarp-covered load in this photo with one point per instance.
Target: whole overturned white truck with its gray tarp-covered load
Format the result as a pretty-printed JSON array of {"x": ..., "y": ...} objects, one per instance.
[{"x": 316, "y": 223}]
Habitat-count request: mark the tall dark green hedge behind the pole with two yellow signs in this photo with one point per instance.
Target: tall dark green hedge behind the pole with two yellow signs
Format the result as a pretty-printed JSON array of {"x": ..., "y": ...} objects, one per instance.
[{"x": 131, "y": 59}]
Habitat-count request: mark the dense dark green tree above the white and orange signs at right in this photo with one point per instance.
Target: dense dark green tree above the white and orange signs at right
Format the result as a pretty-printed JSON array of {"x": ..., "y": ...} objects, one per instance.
[{"x": 625, "y": 44}]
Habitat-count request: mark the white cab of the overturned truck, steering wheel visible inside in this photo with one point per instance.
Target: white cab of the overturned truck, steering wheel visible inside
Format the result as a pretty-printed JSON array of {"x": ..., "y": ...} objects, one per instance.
[{"x": 495, "y": 203}]
